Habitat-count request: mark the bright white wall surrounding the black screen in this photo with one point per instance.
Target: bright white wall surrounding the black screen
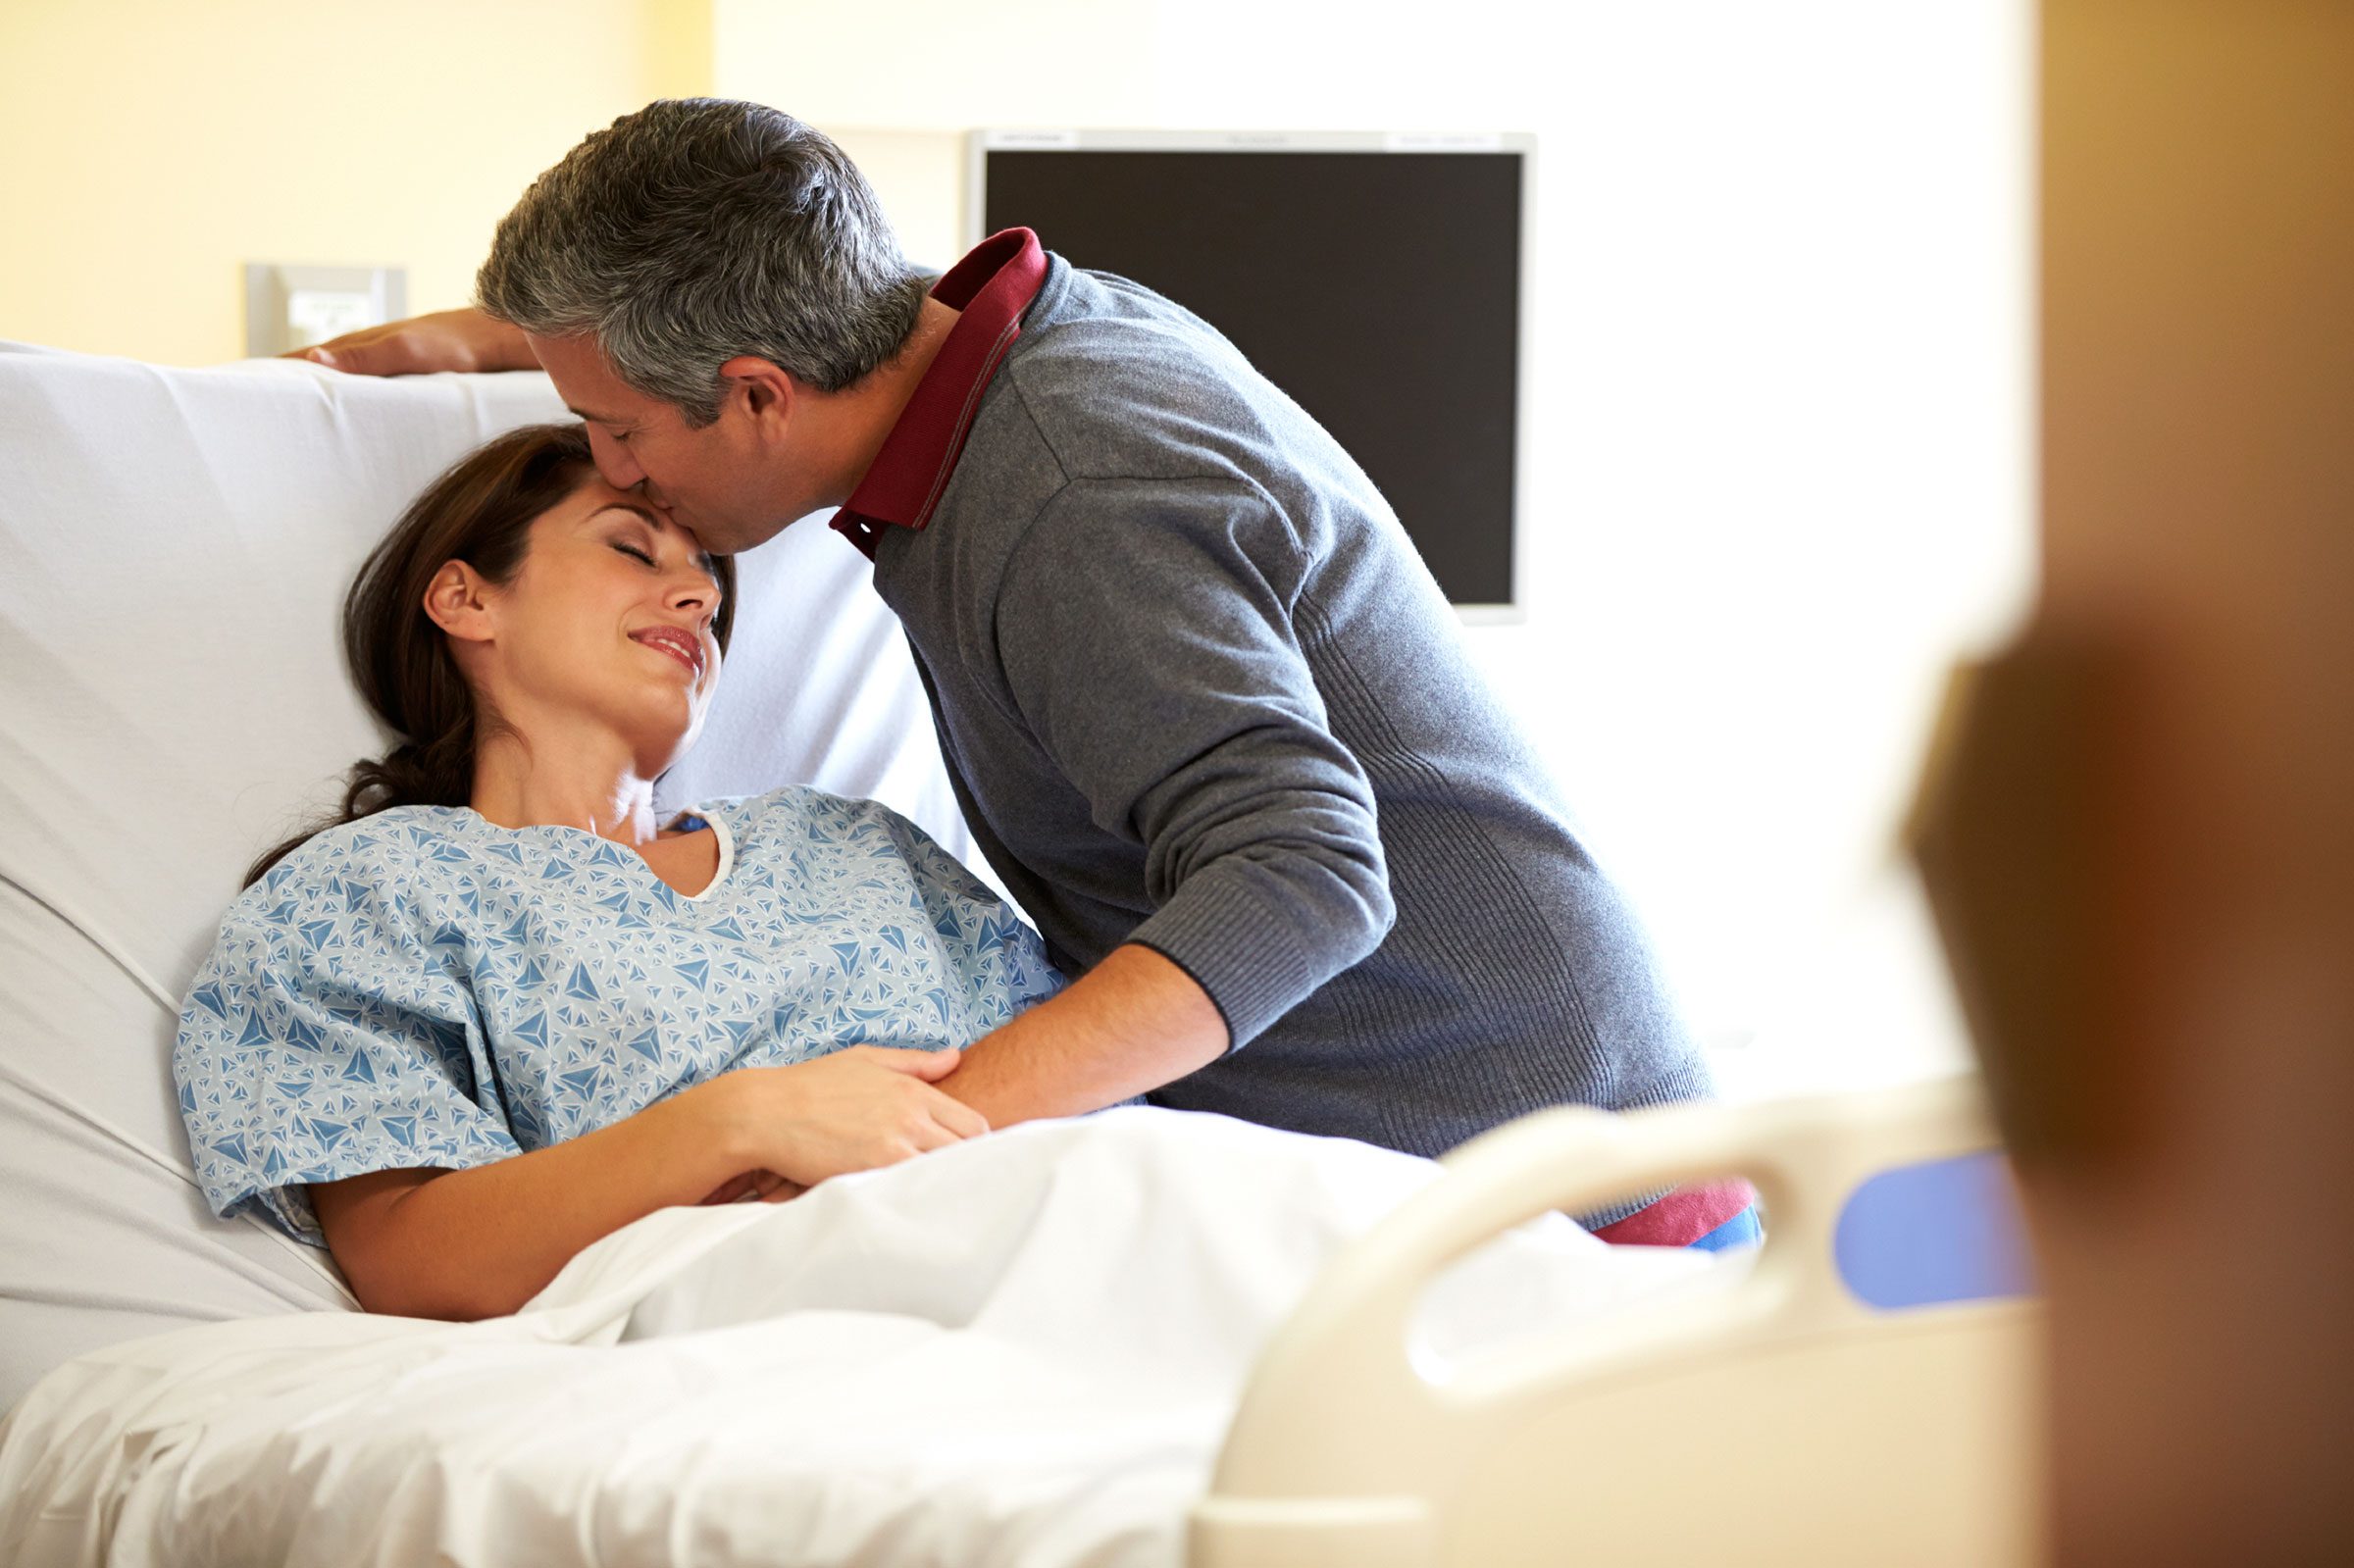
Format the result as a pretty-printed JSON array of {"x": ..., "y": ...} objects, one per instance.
[{"x": 1781, "y": 401}]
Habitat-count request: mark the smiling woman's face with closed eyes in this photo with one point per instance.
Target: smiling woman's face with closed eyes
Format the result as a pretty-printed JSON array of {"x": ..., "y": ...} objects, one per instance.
[{"x": 606, "y": 625}]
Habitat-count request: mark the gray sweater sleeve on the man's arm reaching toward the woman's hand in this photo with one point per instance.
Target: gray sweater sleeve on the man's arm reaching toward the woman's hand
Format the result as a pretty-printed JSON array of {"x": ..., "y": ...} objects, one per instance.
[{"x": 1148, "y": 642}]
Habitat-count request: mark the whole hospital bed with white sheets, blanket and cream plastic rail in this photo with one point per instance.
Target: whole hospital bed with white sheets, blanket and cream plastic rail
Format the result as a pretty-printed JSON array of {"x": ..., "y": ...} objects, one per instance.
[{"x": 178, "y": 545}]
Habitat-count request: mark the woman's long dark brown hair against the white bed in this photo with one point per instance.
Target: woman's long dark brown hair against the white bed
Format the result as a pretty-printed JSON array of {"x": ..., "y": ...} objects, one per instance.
[{"x": 479, "y": 512}]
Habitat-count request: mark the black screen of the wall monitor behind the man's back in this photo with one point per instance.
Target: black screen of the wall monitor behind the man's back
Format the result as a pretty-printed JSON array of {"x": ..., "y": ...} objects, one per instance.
[{"x": 1381, "y": 291}]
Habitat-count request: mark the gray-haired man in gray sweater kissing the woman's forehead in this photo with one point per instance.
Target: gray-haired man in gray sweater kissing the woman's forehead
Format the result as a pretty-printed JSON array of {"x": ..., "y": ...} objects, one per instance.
[{"x": 1204, "y": 707}]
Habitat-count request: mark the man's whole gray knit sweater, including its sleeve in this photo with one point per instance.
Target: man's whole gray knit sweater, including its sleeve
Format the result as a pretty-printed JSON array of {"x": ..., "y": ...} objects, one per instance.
[{"x": 1197, "y": 691}]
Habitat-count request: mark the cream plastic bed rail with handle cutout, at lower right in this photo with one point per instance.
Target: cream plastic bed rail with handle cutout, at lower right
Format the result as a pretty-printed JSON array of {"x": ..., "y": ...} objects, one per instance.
[{"x": 1781, "y": 1421}]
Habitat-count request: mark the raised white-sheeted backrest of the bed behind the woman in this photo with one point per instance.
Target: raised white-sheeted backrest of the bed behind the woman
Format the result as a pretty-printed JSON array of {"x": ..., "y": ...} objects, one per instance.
[{"x": 173, "y": 562}]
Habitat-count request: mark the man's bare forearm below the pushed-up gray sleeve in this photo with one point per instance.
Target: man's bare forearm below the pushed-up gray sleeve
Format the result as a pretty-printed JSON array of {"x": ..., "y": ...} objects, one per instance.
[{"x": 1129, "y": 1025}]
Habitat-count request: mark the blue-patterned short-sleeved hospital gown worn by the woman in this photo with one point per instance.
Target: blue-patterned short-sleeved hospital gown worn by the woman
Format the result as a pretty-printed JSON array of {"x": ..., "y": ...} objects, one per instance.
[{"x": 425, "y": 988}]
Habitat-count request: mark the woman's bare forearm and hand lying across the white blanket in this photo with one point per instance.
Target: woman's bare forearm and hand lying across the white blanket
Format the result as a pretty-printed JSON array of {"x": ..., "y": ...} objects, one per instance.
[{"x": 481, "y": 1242}]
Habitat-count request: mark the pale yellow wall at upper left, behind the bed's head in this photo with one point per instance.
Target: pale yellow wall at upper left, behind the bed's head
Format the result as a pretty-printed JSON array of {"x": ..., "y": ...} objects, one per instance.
[{"x": 152, "y": 147}]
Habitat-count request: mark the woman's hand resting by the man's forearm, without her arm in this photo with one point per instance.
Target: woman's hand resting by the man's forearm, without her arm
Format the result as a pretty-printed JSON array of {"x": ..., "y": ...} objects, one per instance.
[{"x": 851, "y": 1110}]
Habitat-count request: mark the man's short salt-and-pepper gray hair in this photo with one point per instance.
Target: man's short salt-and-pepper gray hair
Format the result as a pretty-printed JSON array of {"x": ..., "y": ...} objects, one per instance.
[{"x": 700, "y": 230}]
